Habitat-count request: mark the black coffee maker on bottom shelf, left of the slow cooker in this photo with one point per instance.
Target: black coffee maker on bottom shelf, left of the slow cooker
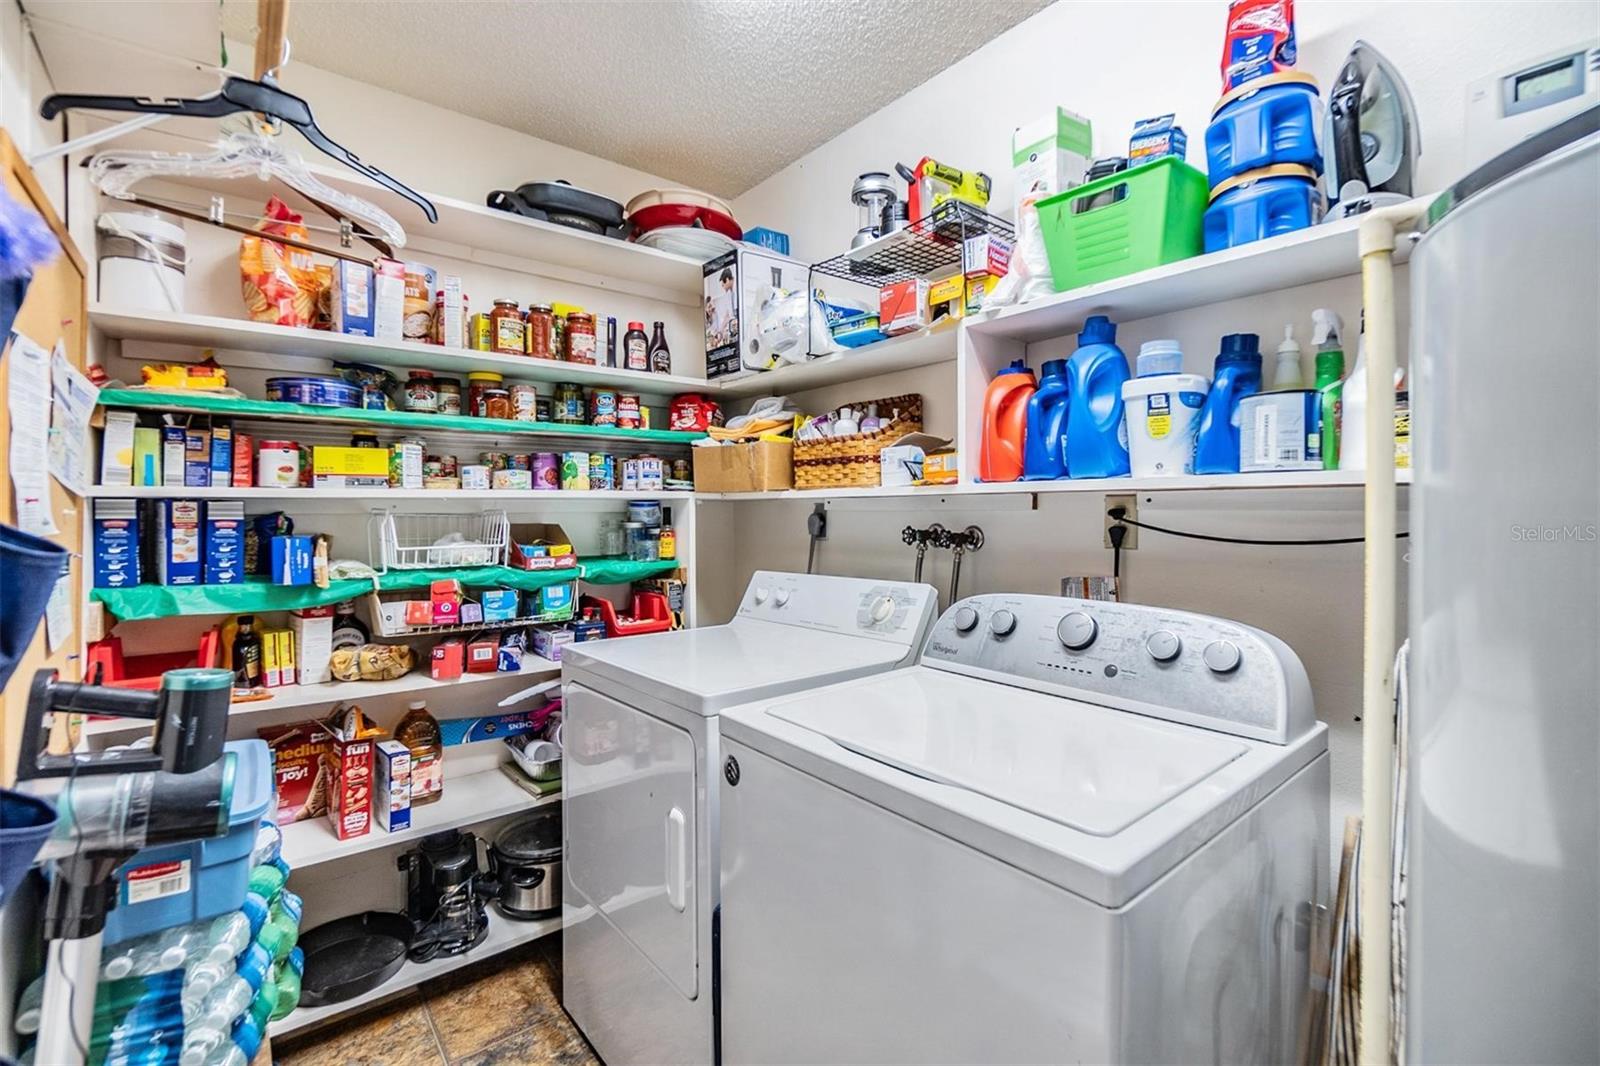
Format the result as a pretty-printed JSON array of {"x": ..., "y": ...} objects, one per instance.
[{"x": 446, "y": 896}]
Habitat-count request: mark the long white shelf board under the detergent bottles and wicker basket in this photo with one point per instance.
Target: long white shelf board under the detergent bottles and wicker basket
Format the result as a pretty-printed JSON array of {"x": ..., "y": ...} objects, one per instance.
[{"x": 1194, "y": 483}]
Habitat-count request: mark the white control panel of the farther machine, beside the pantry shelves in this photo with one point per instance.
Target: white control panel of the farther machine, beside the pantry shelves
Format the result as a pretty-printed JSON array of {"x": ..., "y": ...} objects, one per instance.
[{"x": 889, "y": 611}]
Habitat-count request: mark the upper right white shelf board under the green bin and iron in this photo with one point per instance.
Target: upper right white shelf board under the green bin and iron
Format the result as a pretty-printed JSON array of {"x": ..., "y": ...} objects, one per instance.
[{"x": 1300, "y": 258}]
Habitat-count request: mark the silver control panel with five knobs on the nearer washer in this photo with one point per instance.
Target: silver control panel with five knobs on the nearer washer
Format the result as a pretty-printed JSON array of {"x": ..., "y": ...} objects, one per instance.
[{"x": 1151, "y": 660}]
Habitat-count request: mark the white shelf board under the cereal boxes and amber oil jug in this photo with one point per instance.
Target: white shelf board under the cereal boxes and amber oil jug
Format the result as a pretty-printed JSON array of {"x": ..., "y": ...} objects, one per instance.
[{"x": 468, "y": 799}]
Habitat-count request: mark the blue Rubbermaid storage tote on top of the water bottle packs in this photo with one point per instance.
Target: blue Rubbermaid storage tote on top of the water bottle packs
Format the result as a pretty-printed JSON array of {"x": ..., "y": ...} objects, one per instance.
[{"x": 198, "y": 880}]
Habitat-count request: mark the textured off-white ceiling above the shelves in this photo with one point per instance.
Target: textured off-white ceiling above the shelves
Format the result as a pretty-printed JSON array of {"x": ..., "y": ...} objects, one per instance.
[{"x": 713, "y": 94}]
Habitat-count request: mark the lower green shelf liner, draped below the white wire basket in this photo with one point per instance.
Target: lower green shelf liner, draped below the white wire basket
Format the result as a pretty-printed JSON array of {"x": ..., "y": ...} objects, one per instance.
[{"x": 255, "y": 596}]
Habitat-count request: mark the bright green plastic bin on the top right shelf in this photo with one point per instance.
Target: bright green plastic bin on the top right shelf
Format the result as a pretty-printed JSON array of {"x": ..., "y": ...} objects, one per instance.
[{"x": 1150, "y": 215}]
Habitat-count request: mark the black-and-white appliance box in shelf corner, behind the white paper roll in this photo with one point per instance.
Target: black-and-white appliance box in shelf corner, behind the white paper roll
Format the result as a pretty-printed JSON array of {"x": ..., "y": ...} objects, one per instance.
[{"x": 737, "y": 284}]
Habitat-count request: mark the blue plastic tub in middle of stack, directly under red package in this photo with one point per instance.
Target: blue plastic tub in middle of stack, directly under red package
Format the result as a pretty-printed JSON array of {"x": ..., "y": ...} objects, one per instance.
[{"x": 1263, "y": 124}]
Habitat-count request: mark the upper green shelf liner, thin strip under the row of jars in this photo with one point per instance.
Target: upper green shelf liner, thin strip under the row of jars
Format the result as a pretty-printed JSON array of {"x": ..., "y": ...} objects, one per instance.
[{"x": 206, "y": 404}]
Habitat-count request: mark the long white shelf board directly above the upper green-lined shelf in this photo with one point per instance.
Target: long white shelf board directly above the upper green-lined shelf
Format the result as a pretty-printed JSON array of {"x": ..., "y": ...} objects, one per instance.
[{"x": 274, "y": 340}]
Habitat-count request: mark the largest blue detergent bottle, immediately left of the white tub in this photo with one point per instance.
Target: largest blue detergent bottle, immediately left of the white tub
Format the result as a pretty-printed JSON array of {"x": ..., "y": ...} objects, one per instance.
[{"x": 1097, "y": 430}]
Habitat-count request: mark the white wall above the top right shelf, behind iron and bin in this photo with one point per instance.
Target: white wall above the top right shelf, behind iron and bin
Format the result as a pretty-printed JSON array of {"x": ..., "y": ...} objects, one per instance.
[{"x": 1116, "y": 63}]
